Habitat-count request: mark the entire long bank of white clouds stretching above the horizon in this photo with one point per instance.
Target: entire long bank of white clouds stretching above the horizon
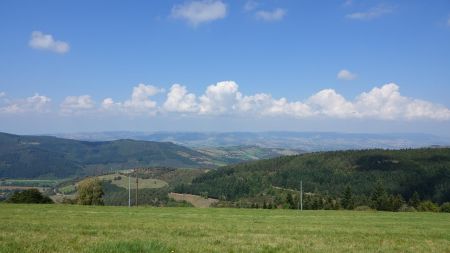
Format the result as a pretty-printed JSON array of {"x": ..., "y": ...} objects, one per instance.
[{"x": 225, "y": 99}]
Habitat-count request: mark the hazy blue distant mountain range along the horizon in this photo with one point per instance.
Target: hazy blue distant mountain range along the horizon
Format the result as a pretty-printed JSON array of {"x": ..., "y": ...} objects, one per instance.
[{"x": 303, "y": 141}]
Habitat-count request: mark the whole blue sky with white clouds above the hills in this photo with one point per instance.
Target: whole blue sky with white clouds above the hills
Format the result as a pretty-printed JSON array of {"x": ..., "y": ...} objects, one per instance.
[{"x": 222, "y": 65}]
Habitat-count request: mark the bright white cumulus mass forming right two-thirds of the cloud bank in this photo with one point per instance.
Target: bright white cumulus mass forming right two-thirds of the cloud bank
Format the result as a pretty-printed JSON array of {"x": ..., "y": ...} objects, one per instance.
[{"x": 385, "y": 102}]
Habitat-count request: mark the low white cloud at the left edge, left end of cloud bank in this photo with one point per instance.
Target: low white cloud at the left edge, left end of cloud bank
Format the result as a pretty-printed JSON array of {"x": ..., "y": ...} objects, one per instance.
[{"x": 36, "y": 103}]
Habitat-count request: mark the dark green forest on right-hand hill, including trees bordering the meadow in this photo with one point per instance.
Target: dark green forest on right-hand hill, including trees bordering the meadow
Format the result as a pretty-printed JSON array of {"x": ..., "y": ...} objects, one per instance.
[{"x": 382, "y": 179}]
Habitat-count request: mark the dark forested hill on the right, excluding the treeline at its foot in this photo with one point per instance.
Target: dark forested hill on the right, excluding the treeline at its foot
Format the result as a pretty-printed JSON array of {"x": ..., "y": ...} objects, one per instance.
[{"x": 426, "y": 171}]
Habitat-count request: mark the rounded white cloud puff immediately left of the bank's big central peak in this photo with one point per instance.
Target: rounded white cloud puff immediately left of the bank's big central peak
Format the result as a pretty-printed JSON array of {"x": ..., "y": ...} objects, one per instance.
[{"x": 179, "y": 100}]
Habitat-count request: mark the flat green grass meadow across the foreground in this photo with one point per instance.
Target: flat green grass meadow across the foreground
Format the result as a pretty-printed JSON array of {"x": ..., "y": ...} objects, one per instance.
[{"x": 65, "y": 228}]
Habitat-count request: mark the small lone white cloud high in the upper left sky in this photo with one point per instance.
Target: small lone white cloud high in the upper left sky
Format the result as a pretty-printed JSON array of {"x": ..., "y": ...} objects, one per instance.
[{"x": 43, "y": 41}]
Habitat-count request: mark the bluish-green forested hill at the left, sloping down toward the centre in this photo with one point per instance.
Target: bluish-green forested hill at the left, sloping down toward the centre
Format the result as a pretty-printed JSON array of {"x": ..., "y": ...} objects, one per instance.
[{"x": 43, "y": 156}]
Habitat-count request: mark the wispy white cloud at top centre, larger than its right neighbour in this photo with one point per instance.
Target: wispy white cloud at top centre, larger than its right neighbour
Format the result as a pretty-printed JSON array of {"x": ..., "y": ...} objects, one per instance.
[{"x": 197, "y": 12}]
